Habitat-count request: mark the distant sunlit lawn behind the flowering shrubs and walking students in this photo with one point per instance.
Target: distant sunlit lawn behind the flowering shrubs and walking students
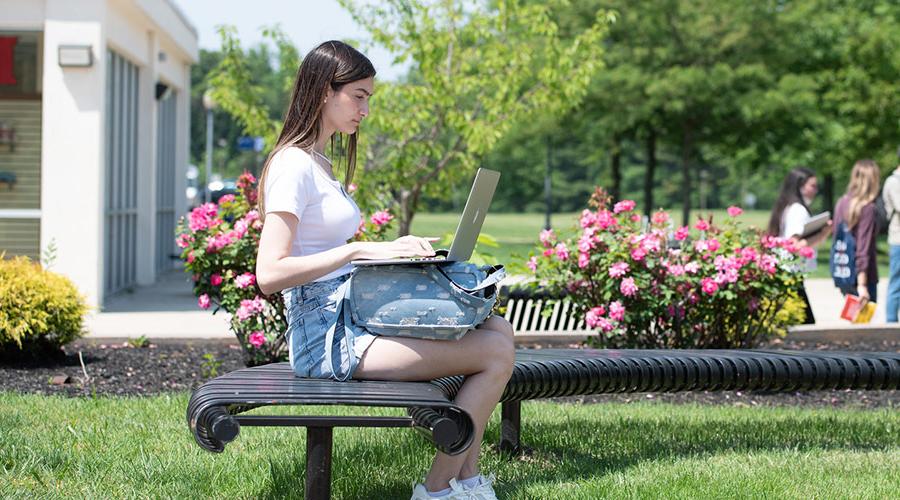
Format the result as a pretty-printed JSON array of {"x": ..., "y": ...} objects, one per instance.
[{"x": 517, "y": 234}]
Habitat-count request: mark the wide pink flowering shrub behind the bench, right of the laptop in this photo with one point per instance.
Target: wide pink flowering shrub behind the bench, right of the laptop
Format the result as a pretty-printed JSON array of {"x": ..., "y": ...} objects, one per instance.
[{"x": 662, "y": 287}]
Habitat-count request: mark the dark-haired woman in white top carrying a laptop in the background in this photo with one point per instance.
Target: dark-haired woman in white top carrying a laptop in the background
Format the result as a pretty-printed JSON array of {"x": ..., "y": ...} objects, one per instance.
[{"x": 791, "y": 213}]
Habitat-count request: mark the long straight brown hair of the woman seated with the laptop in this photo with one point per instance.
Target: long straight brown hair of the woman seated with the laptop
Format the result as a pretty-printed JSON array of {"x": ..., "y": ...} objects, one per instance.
[{"x": 331, "y": 64}]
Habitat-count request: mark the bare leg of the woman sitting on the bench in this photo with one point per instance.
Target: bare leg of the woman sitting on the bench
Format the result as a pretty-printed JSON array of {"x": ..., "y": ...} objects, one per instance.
[{"x": 484, "y": 355}]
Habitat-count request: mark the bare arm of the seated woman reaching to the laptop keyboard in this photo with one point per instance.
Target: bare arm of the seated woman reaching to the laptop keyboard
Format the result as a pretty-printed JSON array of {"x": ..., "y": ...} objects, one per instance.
[{"x": 277, "y": 270}]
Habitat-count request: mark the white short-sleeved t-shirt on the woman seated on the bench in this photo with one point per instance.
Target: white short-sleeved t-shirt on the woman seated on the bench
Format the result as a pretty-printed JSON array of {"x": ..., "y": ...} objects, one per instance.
[{"x": 328, "y": 216}]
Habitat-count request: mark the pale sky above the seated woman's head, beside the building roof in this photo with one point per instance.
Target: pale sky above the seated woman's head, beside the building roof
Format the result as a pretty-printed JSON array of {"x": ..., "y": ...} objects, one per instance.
[{"x": 305, "y": 22}]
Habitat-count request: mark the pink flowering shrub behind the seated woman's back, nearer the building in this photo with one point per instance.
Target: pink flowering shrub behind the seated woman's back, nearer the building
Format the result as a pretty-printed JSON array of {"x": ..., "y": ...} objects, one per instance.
[{"x": 219, "y": 244}]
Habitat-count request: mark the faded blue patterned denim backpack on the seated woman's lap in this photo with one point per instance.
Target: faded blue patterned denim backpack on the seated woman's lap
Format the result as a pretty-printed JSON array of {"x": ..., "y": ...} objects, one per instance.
[{"x": 430, "y": 301}]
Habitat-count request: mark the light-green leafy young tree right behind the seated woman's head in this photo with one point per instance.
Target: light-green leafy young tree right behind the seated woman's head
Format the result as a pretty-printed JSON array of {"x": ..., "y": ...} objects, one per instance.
[{"x": 478, "y": 71}]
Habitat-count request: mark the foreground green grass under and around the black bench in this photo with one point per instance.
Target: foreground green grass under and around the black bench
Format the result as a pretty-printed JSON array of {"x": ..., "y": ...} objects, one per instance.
[{"x": 52, "y": 447}]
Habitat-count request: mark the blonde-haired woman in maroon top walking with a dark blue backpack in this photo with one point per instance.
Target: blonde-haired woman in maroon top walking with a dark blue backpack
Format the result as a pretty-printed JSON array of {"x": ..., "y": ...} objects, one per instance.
[{"x": 857, "y": 209}]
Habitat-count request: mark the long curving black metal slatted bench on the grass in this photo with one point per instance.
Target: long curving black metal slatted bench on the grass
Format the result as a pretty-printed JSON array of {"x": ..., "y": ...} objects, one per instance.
[{"x": 215, "y": 411}]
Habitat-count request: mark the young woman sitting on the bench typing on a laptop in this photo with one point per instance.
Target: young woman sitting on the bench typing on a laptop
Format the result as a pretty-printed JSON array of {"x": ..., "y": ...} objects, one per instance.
[{"x": 303, "y": 251}]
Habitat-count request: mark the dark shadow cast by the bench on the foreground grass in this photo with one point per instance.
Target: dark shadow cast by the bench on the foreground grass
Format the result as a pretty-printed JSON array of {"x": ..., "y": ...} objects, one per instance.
[{"x": 582, "y": 448}]
